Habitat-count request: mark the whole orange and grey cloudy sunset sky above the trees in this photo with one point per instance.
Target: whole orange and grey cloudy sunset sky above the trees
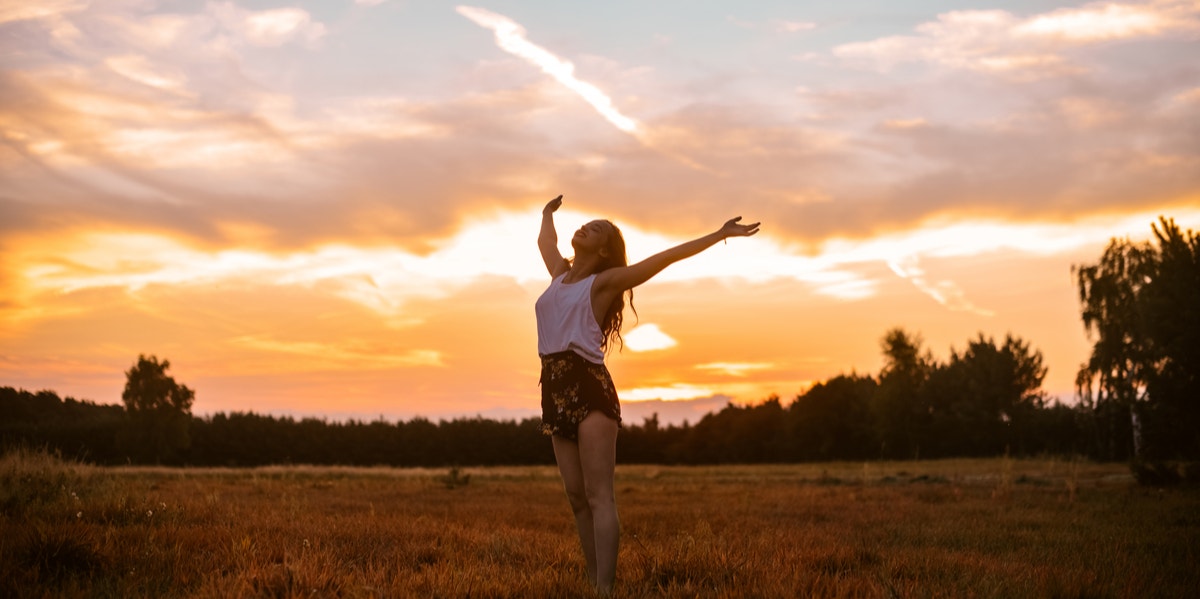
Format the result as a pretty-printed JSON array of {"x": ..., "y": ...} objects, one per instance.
[{"x": 332, "y": 208}]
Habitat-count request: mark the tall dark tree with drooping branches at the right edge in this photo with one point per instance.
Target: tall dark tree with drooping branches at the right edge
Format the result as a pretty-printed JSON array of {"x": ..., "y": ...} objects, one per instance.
[{"x": 1142, "y": 306}]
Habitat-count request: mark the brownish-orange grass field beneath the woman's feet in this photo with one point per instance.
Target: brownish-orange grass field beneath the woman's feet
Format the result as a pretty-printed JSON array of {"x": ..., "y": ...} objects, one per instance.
[{"x": 934, "y": 529}]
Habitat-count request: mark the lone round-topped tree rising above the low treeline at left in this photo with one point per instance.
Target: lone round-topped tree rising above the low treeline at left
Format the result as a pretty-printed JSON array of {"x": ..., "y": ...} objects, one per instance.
[{"x": 159, "y": 412}]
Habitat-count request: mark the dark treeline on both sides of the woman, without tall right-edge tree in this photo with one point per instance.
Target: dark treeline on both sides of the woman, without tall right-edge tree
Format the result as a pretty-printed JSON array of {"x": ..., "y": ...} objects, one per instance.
[{"x": 983, "y": 402}]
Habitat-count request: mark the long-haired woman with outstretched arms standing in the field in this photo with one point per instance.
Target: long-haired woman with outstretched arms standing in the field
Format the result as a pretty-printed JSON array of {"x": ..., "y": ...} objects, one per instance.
[{"x": 579, "y": 320}]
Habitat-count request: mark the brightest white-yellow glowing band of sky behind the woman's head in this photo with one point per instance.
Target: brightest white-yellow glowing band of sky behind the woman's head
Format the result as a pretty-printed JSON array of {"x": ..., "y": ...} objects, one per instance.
[{"x": 383, "y": 278}]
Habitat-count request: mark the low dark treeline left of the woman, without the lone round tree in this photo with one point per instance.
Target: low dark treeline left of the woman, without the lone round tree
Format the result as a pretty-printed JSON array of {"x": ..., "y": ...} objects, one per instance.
[{"x": 98, "y": 434}]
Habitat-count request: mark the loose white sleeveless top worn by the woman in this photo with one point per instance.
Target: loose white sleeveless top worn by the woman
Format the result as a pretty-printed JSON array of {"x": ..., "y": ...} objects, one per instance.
[{"x": 566, "y": 320}]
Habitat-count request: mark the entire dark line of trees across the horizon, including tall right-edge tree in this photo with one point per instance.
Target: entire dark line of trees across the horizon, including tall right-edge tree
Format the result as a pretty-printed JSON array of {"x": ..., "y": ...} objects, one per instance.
[{"x": 1138, "y": 398}]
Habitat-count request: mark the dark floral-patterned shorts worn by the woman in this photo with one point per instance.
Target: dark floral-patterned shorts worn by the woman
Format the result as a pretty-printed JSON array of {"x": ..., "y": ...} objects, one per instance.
[{"x": 572, "y": 388}]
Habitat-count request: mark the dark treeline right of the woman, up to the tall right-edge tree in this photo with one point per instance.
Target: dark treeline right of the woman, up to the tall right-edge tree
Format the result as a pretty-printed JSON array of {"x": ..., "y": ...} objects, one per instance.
[{"x": 985, "y": 402}]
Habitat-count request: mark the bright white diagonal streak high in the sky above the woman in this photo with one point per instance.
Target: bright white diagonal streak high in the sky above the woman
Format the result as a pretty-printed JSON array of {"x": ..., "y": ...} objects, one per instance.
[{"x": 512, "y": 38}]
